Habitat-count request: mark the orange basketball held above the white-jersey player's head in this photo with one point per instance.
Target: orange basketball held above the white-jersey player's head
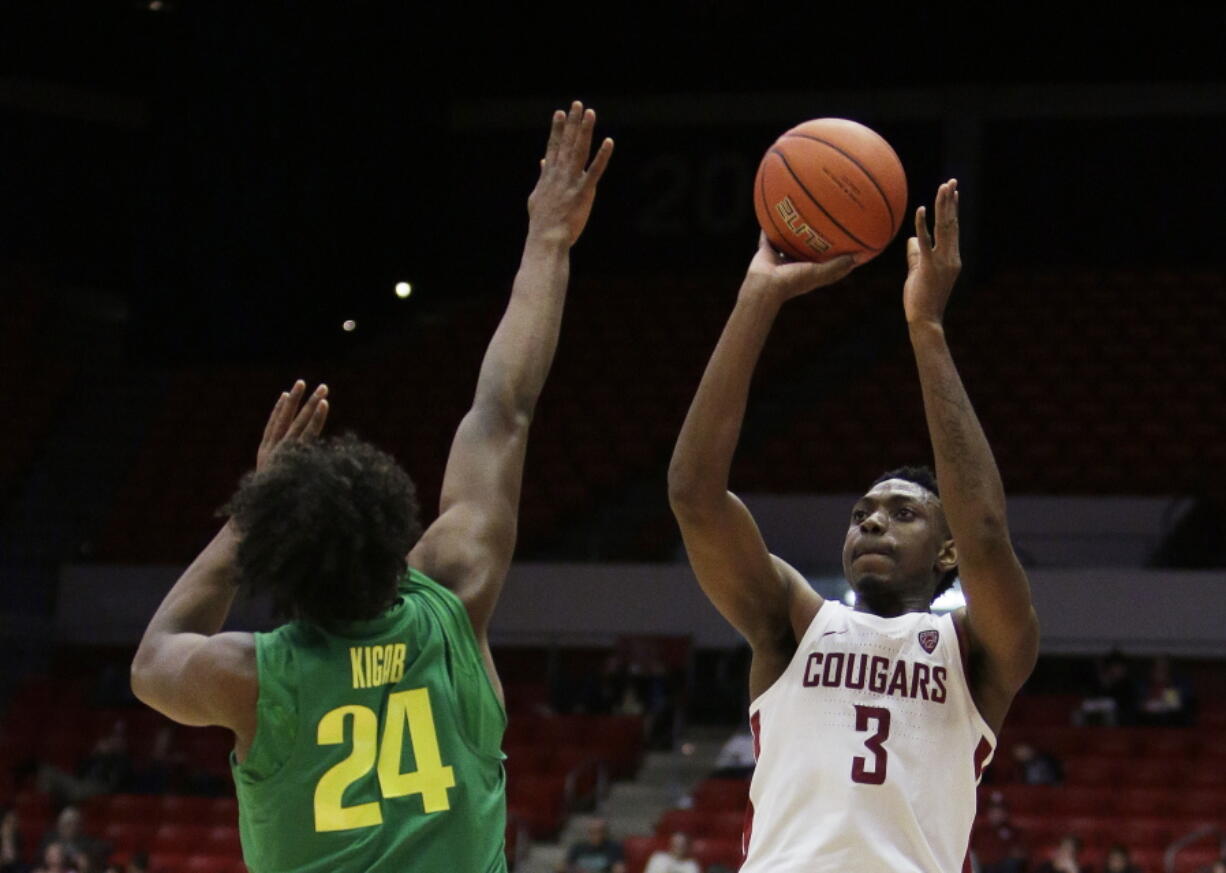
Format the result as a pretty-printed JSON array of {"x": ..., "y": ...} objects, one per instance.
[{"x": 829, "y": 188}]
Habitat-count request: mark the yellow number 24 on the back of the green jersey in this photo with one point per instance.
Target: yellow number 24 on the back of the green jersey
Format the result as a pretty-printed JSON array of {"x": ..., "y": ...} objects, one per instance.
[{"x": 431, "y": 780}]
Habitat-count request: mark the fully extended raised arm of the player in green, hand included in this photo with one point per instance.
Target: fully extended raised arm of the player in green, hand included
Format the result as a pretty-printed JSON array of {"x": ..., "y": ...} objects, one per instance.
[{"x": 469, "y": 549}]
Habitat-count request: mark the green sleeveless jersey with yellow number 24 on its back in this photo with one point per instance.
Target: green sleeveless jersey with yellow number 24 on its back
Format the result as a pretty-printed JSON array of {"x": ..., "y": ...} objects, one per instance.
[{"x": 378, "y": 747}]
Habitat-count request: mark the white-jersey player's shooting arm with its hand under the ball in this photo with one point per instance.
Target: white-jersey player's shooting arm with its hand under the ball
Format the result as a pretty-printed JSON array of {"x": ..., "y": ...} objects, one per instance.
[{"x": 756, "y": 592}]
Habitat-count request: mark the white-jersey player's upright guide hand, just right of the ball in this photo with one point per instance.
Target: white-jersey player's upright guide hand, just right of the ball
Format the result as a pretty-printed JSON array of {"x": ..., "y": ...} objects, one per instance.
[{"x": 934, "y": 261}]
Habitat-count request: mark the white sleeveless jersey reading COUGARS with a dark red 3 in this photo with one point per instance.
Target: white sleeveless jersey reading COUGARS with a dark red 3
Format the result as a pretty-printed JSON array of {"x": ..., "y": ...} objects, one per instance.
[{"x": 870, "y": 750}]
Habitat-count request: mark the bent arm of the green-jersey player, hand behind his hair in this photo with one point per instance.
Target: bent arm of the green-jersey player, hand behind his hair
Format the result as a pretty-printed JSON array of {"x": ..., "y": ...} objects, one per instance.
[{"x": 185, "y": 668}]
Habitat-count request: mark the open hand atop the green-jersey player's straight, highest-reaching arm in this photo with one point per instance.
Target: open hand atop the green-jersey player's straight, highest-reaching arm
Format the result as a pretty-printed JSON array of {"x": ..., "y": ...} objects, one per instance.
[{"x": 562, "y": 200}]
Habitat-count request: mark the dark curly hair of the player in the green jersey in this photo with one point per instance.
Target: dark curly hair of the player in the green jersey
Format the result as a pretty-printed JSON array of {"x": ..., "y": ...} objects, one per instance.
[{"x": 326, "y": 530}]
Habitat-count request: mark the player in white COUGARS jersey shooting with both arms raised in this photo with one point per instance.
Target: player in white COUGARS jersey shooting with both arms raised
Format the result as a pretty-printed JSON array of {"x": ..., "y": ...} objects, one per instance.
[{"x": 871, "y": 725}]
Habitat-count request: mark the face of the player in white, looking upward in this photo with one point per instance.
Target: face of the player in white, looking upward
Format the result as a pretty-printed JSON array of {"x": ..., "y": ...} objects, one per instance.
[{"x": 896, "y": 538}]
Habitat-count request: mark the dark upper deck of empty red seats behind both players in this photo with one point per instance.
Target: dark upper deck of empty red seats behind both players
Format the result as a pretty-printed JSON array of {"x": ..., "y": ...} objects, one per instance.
[{"x": 1087, "y": 383}]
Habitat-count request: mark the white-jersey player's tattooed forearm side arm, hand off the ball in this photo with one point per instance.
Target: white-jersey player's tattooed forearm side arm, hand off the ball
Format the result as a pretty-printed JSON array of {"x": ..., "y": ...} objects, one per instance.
[{"x": 1000, "y": 617}]
